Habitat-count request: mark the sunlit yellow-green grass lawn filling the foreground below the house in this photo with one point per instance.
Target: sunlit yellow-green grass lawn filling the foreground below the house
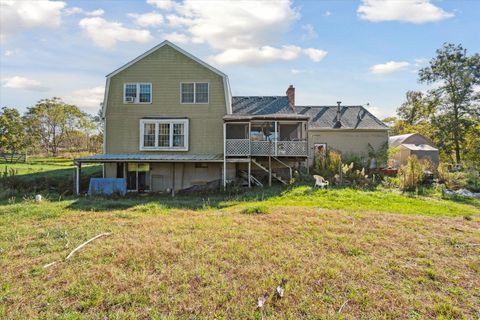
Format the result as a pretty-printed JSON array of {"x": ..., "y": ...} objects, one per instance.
[{"x": 379, "y": 254}]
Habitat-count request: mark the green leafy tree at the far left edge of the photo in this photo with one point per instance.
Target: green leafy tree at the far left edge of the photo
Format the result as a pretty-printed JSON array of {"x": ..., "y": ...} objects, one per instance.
[{"x": 12, "y": 131}]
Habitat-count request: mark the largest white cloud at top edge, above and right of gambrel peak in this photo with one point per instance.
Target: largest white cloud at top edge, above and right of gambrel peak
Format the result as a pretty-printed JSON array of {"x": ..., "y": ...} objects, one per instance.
[{"x": 235, "y": 24}]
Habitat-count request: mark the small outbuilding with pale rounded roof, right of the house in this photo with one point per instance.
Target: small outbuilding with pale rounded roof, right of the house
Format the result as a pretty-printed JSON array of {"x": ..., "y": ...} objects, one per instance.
[{"x": 413, "y": 144}]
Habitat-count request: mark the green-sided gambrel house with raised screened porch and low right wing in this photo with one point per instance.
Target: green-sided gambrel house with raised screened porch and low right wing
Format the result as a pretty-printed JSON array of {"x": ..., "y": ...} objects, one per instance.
[{"x": 171, "y": 123}]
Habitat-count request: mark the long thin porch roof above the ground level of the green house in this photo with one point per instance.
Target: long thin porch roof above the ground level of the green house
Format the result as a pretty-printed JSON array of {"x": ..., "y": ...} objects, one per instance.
[{"x": 142, "y": 157}]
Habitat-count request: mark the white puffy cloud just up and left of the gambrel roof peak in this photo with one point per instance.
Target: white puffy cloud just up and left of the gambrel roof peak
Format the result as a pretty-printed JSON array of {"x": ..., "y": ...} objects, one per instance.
[{"x": 106, "y": 34}]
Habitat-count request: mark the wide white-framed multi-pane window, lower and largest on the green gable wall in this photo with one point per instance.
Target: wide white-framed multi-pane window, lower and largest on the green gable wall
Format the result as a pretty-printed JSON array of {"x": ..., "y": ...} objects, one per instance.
[{"x": 164, "y": 134}]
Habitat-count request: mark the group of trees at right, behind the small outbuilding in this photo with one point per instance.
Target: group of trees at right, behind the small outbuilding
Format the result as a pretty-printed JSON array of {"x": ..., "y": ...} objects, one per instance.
[{"x": 448, "y": 113}]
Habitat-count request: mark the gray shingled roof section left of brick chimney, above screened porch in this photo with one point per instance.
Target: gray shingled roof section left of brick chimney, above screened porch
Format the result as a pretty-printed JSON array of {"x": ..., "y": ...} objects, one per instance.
[{"x": 261, "y": 105}]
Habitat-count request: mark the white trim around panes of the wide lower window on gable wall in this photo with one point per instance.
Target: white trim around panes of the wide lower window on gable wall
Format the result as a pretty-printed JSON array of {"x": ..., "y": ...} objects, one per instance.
[{"x": 171, "y": 122}]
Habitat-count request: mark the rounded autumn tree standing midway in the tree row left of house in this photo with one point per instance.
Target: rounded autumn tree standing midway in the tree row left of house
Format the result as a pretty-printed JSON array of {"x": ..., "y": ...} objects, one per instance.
[{"x": 51, "y": 121}]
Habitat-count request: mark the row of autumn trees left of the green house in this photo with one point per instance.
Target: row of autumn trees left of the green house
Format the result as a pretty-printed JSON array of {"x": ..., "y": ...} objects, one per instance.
[{"x": 50, "y": 127}]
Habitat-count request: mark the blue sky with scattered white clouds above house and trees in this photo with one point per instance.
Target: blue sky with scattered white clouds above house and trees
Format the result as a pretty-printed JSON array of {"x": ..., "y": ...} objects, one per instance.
[{"x": 365, "y": 52}]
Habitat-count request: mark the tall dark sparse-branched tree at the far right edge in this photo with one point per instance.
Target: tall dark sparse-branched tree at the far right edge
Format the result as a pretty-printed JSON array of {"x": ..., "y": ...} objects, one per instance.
[{"x": 455, "y": 76}]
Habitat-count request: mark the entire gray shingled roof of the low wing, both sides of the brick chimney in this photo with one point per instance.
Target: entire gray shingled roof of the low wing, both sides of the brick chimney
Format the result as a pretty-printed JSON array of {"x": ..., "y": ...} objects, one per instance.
[{"x": 352, "y": 117}]
